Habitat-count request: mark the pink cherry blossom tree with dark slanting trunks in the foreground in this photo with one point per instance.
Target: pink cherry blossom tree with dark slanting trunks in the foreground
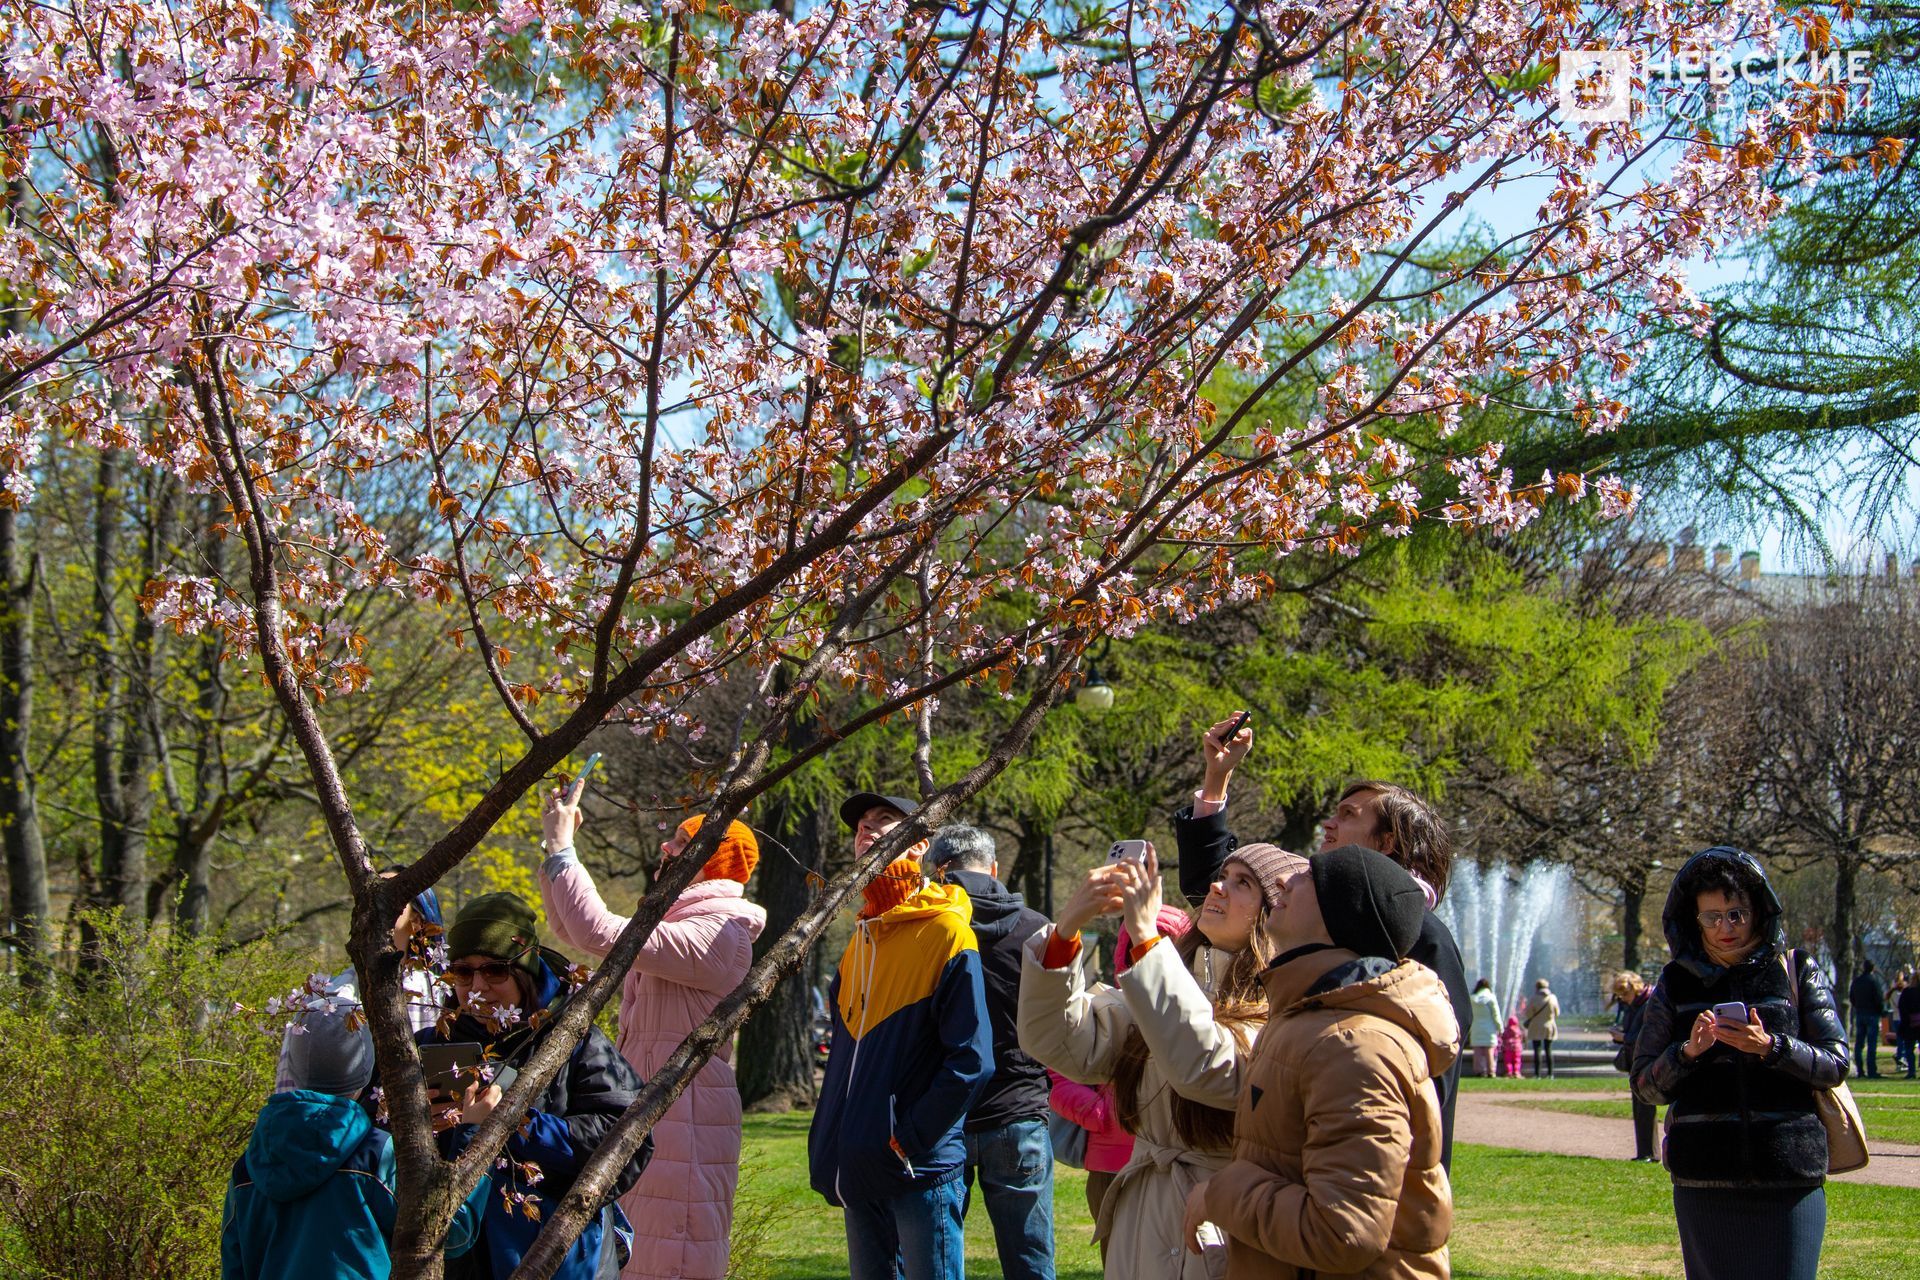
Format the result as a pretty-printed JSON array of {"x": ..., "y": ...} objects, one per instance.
[{"x": 855, "y": 344}]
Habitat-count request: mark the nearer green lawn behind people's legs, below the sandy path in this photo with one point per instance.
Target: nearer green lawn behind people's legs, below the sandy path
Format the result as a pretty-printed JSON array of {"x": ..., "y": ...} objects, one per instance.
[{"x": 1518, "y": 1216}]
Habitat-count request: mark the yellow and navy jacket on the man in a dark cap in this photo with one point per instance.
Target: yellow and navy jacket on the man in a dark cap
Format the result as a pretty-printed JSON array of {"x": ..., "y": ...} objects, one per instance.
[{"x": 911, "y": 1053}]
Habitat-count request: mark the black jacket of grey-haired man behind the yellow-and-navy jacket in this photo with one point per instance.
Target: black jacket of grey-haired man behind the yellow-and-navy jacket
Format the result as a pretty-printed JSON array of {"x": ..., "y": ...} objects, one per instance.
[{"x": 1003, "y": 924}]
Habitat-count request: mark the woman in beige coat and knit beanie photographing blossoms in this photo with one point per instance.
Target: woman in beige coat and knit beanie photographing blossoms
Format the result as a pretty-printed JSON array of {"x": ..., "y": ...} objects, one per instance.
[{"x": 1170, "y": 1039}]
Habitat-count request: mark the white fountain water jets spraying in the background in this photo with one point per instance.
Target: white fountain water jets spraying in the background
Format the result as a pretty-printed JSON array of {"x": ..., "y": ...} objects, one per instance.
[{"x": 1497, "y": 916}]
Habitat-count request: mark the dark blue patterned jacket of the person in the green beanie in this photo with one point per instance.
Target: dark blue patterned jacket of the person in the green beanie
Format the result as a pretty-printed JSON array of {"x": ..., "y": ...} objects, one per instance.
[{"x": 562, "y": 1131}]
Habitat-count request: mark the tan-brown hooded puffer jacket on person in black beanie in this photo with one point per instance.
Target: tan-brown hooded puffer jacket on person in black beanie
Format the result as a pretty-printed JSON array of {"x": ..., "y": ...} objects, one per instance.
[{"x": 1337, "y": 1135}]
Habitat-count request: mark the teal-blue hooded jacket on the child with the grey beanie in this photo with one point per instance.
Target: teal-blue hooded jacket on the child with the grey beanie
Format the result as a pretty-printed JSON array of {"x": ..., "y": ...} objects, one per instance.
[{"x": 314, "y": 1197}]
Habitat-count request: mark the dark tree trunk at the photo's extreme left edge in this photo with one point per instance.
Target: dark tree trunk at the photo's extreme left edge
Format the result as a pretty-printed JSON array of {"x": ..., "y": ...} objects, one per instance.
[{"x": 26, "y": 855}]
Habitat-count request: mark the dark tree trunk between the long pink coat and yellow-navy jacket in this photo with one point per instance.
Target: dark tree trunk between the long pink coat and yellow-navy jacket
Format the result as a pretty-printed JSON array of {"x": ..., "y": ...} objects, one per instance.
[{"x": 777, "y": 1047}]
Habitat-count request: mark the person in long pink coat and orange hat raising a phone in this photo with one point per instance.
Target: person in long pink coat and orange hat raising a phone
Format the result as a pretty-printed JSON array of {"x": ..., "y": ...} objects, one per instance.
[{"x": 683, "y": 1208}]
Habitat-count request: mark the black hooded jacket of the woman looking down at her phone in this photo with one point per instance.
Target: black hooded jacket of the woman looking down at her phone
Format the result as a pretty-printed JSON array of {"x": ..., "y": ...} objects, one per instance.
[{"x": 1739, "y": 1120}]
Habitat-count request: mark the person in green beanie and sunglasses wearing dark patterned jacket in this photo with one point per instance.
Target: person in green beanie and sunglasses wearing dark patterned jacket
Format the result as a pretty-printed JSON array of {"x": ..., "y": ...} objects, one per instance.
[{"x": 506, "y": 991}]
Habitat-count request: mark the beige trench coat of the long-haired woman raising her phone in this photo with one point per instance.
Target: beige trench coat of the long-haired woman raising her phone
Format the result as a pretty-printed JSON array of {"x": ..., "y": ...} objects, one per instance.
[{"x": 1080, "y": 1031}]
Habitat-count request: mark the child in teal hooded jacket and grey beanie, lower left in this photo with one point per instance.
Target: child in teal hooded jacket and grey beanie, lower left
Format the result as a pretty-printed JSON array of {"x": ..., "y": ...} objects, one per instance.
[{"x": 314, "y": 1195}]
